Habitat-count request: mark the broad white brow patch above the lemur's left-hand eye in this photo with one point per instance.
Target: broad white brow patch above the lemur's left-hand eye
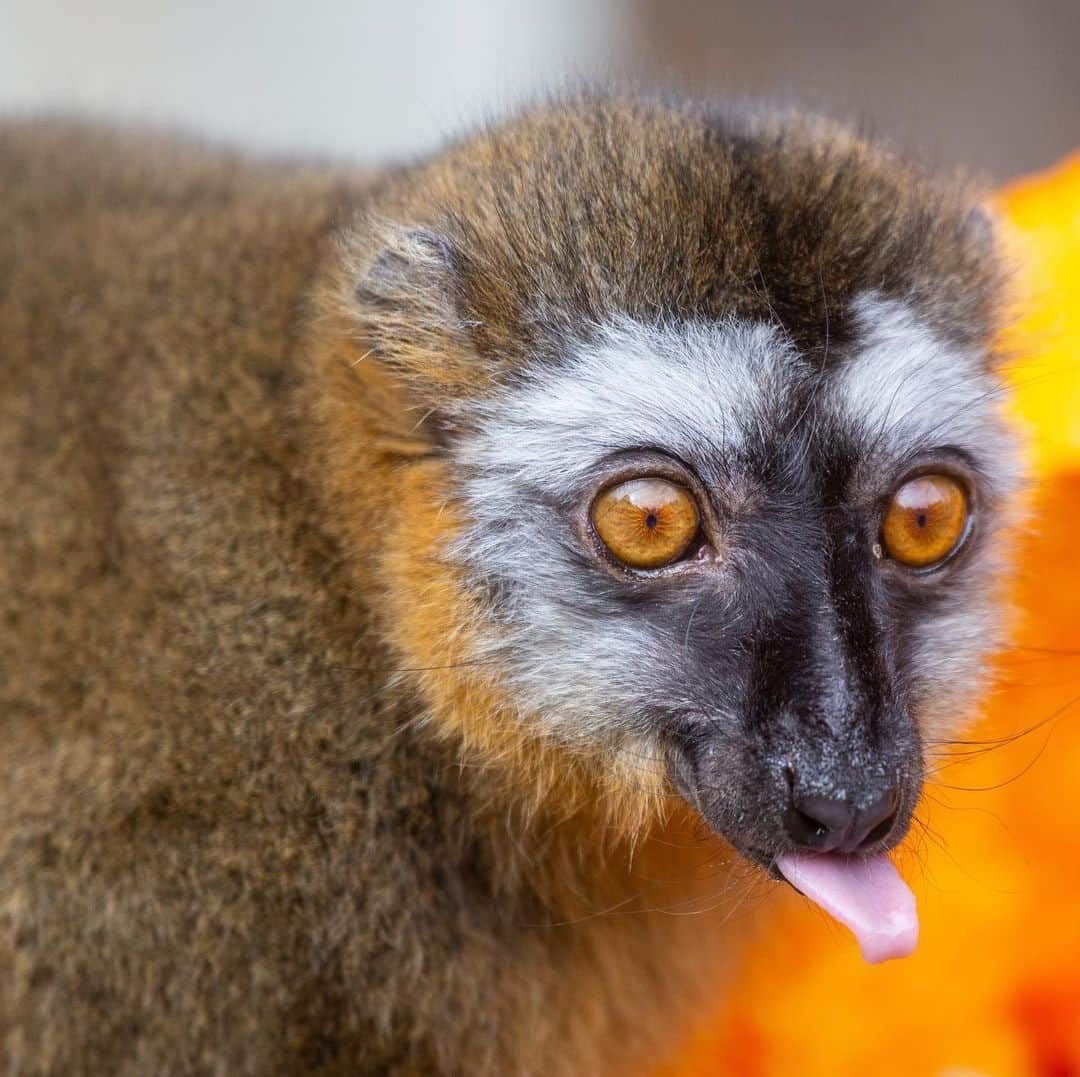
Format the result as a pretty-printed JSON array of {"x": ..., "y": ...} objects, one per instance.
[{"x": 679, "y": 388}]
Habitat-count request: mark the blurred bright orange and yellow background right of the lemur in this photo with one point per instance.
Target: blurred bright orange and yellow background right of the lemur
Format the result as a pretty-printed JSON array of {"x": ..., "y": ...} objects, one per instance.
[{"x": 995, "y": 986}]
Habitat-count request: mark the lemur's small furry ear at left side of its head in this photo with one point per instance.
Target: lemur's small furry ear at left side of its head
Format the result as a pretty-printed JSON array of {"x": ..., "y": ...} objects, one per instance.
[{"x": 410, "y": 300}]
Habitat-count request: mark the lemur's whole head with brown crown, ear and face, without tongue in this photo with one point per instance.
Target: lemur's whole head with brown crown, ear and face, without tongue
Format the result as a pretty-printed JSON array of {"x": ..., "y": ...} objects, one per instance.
[{"x": 720, "y": 450}]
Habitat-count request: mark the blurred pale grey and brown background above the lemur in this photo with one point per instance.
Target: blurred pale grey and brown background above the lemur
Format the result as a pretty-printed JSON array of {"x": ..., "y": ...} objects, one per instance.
[{"x": 990, "y": 85}]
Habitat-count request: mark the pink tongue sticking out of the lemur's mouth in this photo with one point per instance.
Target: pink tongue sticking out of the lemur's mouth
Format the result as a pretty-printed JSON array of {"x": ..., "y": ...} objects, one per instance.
[{"x": 867, "y": 896}]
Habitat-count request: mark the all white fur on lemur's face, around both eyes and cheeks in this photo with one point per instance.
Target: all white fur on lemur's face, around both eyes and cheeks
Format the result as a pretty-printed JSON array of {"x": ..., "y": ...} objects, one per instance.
[{"x": 703, "y": 394}]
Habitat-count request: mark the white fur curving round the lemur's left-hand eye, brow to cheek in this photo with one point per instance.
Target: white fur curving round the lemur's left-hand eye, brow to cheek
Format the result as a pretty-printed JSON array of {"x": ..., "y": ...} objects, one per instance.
[{"x": 690, "y": 391}]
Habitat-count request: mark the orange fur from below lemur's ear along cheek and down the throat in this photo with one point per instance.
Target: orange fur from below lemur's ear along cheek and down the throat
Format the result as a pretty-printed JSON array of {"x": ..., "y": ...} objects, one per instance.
[{"x": 622, "y": 868}]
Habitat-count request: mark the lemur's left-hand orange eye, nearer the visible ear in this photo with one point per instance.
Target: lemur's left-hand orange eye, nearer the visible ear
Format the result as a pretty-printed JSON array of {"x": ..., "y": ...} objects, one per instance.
[{"x": 646, "y": 523}]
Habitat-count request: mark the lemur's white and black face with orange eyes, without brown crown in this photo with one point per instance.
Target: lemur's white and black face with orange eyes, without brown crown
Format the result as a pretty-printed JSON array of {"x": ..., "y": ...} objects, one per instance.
[{"x": 700, "y": 540}]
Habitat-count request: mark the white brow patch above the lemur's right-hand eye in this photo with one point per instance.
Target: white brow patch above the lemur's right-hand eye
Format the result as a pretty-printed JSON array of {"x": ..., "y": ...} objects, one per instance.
[{"x": 906, "y": 391}]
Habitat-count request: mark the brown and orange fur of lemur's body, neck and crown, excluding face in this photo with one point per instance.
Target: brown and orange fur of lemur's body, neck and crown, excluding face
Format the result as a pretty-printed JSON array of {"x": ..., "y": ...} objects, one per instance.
[{"x": 259, "y": 813}]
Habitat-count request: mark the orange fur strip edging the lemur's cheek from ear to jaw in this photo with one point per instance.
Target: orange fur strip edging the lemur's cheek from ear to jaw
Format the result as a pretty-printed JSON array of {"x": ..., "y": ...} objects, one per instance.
[{"x": 394, "y": 499}]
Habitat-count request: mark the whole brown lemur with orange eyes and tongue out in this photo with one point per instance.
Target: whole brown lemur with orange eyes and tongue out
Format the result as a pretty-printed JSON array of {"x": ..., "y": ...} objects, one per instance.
[{"x": 441, "y": 603}]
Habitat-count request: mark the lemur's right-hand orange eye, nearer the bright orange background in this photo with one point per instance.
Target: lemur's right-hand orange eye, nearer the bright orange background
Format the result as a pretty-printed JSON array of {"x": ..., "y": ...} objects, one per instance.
[{"x": 926, "y": 521}]
